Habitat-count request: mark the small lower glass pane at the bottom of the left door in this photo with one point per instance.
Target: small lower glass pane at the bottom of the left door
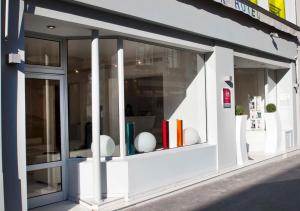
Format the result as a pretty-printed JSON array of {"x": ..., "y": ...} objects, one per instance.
[{"x": 45, "y": 181}]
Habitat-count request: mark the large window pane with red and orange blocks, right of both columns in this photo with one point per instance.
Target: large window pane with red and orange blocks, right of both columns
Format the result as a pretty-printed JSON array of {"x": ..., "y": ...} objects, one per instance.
[{"x": 164, "y": 84}]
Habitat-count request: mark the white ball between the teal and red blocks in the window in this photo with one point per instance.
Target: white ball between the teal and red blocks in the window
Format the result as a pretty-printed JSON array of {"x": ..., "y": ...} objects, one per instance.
[{"x": 145, "y": 142}]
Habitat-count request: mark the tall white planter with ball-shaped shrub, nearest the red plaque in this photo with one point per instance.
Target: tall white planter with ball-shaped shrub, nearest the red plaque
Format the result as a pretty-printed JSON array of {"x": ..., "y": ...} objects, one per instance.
[{"x": 241, "y": 144}]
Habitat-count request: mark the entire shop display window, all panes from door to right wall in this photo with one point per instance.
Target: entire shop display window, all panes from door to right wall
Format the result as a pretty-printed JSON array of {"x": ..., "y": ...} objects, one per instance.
[{"x": 164, "y": 98}]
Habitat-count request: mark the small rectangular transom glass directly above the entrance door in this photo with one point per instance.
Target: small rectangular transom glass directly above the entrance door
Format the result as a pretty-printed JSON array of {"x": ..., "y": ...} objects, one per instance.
[{"x": 42, "y": 52}]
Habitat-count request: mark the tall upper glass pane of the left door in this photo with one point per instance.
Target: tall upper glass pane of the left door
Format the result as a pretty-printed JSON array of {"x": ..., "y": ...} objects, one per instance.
[{"x": 43, "y": 138}]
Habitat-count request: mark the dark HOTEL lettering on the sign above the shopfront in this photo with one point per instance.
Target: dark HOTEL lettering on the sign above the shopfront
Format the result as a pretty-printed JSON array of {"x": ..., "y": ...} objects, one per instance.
[{"x": 242, "y": 7}]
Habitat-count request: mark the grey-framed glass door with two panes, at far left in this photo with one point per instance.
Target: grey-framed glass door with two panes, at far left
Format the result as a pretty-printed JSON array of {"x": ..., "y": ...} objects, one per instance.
[{"x": 45, "y": 151}]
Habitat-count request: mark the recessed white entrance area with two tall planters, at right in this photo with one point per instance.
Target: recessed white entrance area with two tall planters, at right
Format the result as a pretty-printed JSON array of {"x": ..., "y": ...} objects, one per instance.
[{"x": 261, "y": 84}]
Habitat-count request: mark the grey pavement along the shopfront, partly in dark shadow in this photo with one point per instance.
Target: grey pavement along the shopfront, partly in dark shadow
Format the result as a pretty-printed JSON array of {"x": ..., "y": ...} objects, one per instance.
[{"x": 274, "y": 186}]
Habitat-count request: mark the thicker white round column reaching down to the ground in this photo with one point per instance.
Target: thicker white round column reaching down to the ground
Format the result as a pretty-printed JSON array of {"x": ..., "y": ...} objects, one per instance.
[{"x": 96, "y": 115}]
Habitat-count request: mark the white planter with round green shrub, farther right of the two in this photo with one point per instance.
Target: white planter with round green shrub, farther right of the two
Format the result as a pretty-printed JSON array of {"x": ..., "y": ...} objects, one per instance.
[{"x": 273, "y": 129}]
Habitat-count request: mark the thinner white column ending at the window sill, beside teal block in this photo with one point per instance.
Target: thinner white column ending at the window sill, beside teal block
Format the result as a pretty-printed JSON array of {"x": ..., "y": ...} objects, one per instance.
[{"x": 121, "y": 98}]
